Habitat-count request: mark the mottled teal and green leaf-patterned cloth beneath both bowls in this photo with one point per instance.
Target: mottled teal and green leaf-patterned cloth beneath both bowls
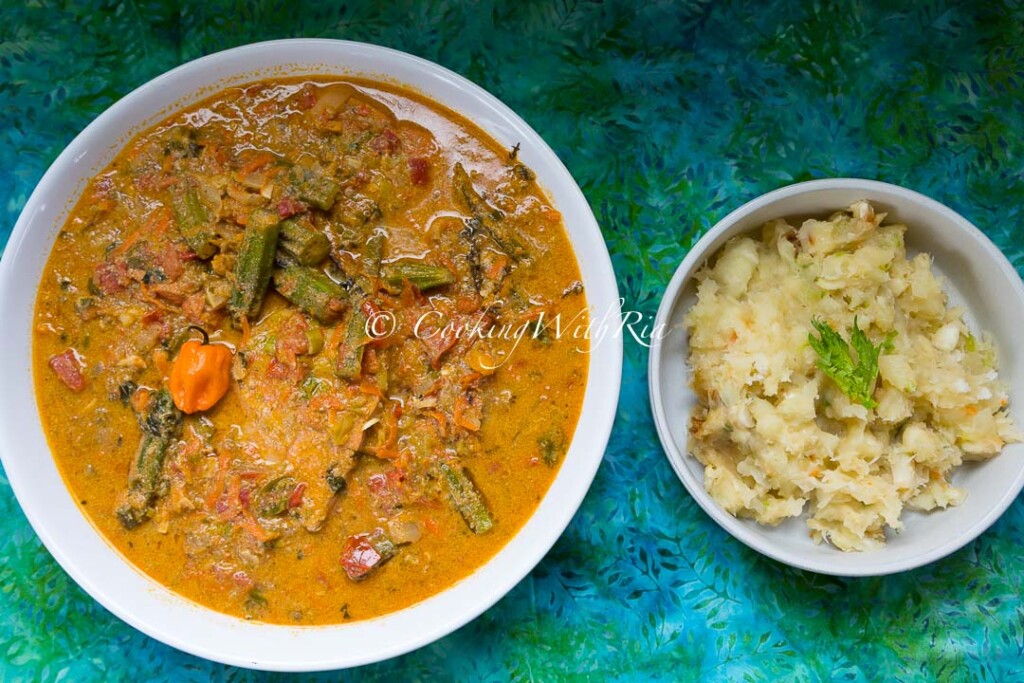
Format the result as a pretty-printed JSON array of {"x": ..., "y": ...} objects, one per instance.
[{"x": 669, "y": 116}]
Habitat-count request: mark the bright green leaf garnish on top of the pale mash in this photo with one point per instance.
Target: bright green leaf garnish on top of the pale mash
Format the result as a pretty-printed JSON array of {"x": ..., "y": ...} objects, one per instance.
[{"x": 856, "y": 379}]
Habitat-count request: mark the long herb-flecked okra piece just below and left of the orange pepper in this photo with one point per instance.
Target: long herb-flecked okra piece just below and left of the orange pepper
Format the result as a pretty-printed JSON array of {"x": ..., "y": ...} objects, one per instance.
[{"x": 161, "y": 426}]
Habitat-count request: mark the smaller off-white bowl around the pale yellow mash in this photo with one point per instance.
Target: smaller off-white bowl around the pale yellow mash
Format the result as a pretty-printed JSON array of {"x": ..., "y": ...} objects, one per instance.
[{"x": 976, "y": 276}]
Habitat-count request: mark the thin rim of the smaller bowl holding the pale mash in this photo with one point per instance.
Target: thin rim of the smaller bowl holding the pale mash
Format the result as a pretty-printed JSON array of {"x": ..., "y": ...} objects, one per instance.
[{"x": 740, "y": 530}]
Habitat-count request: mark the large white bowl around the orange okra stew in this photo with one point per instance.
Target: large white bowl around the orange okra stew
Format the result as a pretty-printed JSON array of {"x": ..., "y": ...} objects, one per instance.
[{"x": 104, "y": 573}]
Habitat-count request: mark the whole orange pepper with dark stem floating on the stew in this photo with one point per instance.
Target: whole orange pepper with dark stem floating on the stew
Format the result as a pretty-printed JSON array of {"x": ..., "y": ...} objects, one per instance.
[{"x": 201, "y": 374}]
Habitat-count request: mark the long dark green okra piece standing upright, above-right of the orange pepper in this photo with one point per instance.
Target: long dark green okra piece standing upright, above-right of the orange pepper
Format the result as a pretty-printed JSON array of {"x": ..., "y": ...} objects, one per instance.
[{"x": 254, "y": 265}]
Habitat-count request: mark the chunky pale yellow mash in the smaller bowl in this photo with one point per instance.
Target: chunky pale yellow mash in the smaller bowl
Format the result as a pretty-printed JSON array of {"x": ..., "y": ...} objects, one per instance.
[{"x": 779, "y": 433}]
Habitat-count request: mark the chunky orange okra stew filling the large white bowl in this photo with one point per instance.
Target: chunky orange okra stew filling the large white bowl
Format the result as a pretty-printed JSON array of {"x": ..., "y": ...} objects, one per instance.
[{"x": 294, "y": 352}]
